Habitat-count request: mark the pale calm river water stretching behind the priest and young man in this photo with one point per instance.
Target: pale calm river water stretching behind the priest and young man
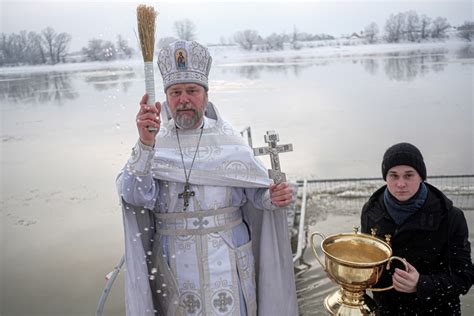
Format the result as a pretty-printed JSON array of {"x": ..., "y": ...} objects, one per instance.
[{"x": 66, "y": 132}]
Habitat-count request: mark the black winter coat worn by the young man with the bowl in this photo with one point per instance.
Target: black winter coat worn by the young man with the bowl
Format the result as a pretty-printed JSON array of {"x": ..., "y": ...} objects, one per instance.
[{"x": 435, "y": 241}]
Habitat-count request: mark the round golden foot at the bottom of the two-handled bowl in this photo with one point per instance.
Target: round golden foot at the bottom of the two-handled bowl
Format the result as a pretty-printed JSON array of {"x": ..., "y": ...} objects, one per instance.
[{"x": 335, "y": 306}]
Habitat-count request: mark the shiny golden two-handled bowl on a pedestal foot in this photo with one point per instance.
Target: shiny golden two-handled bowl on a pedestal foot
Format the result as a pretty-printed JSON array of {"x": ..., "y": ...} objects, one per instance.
[{"x": 356, "y": 262}]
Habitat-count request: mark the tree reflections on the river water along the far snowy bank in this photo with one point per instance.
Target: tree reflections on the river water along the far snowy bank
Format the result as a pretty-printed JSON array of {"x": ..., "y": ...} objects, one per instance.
[{"x": 397, "y": 66}]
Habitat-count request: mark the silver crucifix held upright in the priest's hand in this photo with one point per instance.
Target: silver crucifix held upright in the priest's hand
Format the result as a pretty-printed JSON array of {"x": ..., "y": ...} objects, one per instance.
[{"x": 273, "y": 150}]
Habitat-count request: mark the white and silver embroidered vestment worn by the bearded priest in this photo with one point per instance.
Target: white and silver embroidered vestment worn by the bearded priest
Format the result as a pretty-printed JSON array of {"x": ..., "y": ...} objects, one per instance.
[{"x": 201, "y": 262}]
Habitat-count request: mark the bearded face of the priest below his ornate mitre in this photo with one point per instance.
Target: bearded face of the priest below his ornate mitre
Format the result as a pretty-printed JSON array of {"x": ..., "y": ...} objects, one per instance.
[{"x": 187, "y": 102}]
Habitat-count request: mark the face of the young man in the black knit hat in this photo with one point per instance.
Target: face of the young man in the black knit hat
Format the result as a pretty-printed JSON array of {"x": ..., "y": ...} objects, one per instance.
[{"x": 403, "y": 182}]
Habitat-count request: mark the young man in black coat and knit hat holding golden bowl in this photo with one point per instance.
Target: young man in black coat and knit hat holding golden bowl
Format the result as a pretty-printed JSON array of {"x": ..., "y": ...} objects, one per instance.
[{"x": 427, "y": 230}]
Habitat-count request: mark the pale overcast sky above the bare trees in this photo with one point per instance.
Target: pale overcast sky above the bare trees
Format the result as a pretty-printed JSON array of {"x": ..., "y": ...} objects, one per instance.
[{"x": 106, "y": 19}]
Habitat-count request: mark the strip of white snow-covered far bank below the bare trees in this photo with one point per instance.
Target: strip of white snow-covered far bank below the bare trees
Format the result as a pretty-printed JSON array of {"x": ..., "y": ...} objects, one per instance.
[{"x": 231, "y": 55}]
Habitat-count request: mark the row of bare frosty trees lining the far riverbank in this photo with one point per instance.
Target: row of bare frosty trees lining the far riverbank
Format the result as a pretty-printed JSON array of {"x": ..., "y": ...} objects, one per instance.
[{"x": 50, "y": 47}]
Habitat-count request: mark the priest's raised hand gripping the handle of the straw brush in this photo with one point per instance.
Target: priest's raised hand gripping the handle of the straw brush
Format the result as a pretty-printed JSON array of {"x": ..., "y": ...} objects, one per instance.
[{"x": 148, "y": 116}]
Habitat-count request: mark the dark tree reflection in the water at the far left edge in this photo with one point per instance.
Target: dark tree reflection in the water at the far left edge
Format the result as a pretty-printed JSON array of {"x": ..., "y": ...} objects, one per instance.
[{"x": 36, "y": 88}]
